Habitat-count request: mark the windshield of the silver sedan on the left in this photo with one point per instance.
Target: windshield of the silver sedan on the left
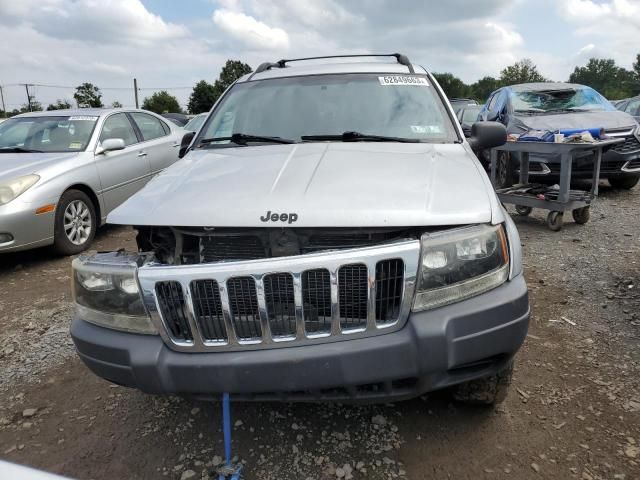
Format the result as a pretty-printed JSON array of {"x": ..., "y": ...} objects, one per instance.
[{"x": 47, "y": 133}]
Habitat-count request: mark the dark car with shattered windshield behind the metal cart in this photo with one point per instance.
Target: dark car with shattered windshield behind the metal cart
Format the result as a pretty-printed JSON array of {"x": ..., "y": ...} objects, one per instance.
[{"x": 555, "y": 106}]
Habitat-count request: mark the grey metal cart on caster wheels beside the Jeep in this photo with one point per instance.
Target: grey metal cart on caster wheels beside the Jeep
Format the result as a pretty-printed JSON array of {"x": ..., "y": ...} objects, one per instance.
[{"x": 577, "y": 201}]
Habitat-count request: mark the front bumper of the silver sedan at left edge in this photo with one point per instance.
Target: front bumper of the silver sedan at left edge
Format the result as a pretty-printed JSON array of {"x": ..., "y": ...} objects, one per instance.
[{"x": 27, "y": 230}]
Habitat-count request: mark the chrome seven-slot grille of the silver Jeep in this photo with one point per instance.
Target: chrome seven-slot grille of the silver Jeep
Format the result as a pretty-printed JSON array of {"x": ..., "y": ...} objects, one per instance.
[{"x": 282, "y": 301}]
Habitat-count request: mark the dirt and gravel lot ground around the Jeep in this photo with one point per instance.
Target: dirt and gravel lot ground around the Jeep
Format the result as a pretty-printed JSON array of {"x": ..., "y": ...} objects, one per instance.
[{"x": 573, "y": 411}]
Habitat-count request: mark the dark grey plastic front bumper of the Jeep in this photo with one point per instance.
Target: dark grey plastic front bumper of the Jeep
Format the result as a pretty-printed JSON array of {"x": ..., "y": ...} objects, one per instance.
[{"x": 435, "y": 349}]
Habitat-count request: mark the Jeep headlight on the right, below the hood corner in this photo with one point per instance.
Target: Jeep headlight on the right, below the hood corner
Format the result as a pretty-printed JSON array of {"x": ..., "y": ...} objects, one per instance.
[{"x": 459, "y": 264}]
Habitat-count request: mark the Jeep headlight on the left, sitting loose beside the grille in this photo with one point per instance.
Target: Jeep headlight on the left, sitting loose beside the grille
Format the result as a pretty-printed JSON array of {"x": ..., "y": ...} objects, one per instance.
[{"x": 105, "y": 290}]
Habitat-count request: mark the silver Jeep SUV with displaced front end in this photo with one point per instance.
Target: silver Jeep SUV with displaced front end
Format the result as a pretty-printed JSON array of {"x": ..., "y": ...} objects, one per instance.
[{"x": 328, "y": 235}]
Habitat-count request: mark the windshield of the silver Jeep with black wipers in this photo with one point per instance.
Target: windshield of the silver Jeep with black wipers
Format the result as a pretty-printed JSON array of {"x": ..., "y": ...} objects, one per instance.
[{"x": 293, "y": 107}]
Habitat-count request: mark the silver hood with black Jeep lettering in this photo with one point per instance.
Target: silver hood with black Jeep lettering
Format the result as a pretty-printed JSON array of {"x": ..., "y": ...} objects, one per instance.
[{"x": 324, "y": 184}]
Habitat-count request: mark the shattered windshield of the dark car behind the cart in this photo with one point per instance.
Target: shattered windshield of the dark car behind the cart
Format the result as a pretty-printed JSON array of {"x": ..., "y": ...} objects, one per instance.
[{"x": 579, "y": 99}]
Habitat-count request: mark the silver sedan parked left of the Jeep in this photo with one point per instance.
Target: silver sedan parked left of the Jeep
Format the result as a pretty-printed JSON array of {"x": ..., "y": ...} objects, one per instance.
[{"x": 63, "y": 171}]
